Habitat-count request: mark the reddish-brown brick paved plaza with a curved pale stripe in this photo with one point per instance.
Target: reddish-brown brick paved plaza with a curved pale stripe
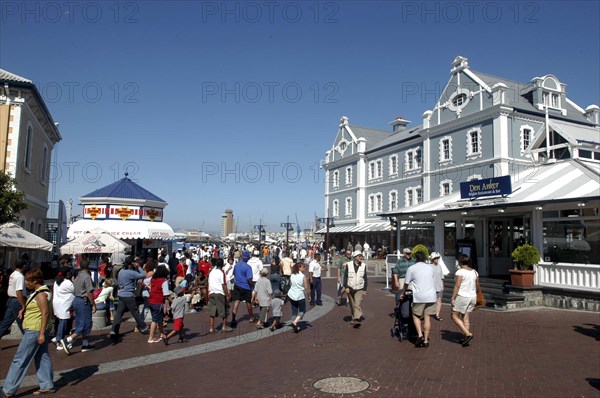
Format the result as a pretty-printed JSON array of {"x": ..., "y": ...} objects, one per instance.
[{"x": 530, "y": 353}]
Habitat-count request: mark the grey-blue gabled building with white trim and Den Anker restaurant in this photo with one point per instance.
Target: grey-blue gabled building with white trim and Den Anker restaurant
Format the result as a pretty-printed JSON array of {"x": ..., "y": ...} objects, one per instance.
[{"x": 482, "y": 127}]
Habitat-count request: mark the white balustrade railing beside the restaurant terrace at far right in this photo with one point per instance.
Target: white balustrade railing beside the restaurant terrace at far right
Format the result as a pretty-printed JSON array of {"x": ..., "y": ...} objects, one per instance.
[{"x": 573, "y": 276}]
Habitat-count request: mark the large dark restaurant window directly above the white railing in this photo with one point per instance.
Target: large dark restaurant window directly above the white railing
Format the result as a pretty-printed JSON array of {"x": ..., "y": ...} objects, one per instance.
[{"x": 572, "y": 241}]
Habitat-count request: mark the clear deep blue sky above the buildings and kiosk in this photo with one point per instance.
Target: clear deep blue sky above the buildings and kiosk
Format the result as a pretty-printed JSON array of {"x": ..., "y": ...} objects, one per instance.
[{"x": 214, "y": 105}]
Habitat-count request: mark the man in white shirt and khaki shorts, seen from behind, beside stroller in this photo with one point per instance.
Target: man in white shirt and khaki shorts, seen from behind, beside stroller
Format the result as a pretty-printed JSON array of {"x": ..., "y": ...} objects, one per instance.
[{"x": 422, "y": 277}]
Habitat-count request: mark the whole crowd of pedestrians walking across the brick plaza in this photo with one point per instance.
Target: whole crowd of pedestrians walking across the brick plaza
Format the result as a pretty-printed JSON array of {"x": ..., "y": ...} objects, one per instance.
[{"x": 216, "y": 278}]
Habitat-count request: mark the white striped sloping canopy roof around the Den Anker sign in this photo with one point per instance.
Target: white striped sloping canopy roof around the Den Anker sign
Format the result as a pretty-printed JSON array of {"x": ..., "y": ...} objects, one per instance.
[{"x": 575, "y": 180}]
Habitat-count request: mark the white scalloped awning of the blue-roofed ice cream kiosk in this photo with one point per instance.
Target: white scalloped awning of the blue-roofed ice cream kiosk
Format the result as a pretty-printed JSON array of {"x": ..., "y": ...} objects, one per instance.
[{"x": 124, "y": 229}]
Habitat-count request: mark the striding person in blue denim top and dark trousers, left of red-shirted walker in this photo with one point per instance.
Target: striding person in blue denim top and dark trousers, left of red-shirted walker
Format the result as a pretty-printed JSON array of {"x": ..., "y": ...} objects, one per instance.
[{"x": 128, "y": 278}]
